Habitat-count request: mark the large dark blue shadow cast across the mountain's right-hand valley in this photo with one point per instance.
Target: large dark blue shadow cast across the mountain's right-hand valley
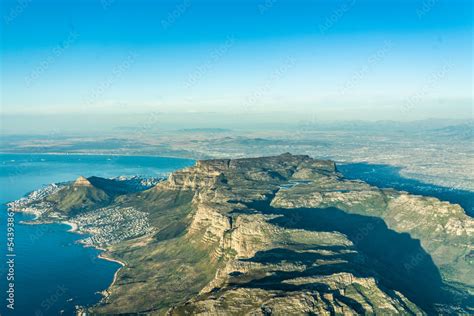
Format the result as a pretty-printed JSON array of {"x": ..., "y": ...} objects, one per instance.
[{"x": 396, "y": 260}]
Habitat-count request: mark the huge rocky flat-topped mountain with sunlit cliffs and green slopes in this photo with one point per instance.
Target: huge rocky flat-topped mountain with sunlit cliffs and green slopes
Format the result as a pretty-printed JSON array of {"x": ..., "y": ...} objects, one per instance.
[{"x": 282, "y": 235}]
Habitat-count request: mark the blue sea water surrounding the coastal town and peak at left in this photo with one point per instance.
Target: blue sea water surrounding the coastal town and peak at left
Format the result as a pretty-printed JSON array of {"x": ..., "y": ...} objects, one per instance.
[{"x": 52, "y": 272}]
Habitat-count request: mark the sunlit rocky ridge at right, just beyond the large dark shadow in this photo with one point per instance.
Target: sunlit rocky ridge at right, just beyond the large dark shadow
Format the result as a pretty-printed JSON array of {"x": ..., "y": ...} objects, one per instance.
[{"x": 443, "y": 229}]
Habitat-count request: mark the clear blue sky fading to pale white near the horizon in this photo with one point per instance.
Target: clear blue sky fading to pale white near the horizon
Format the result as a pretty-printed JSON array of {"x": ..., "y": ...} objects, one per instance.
[{"x": 339, "y": 59}]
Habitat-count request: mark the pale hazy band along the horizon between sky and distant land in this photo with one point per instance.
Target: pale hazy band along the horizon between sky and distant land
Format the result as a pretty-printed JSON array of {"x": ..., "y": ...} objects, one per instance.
[{"x": 87, "y": 125}]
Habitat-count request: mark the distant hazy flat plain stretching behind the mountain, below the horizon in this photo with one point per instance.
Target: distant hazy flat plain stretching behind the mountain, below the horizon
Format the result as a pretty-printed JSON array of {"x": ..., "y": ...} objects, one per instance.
[{"x": 439, "y": 155}]
